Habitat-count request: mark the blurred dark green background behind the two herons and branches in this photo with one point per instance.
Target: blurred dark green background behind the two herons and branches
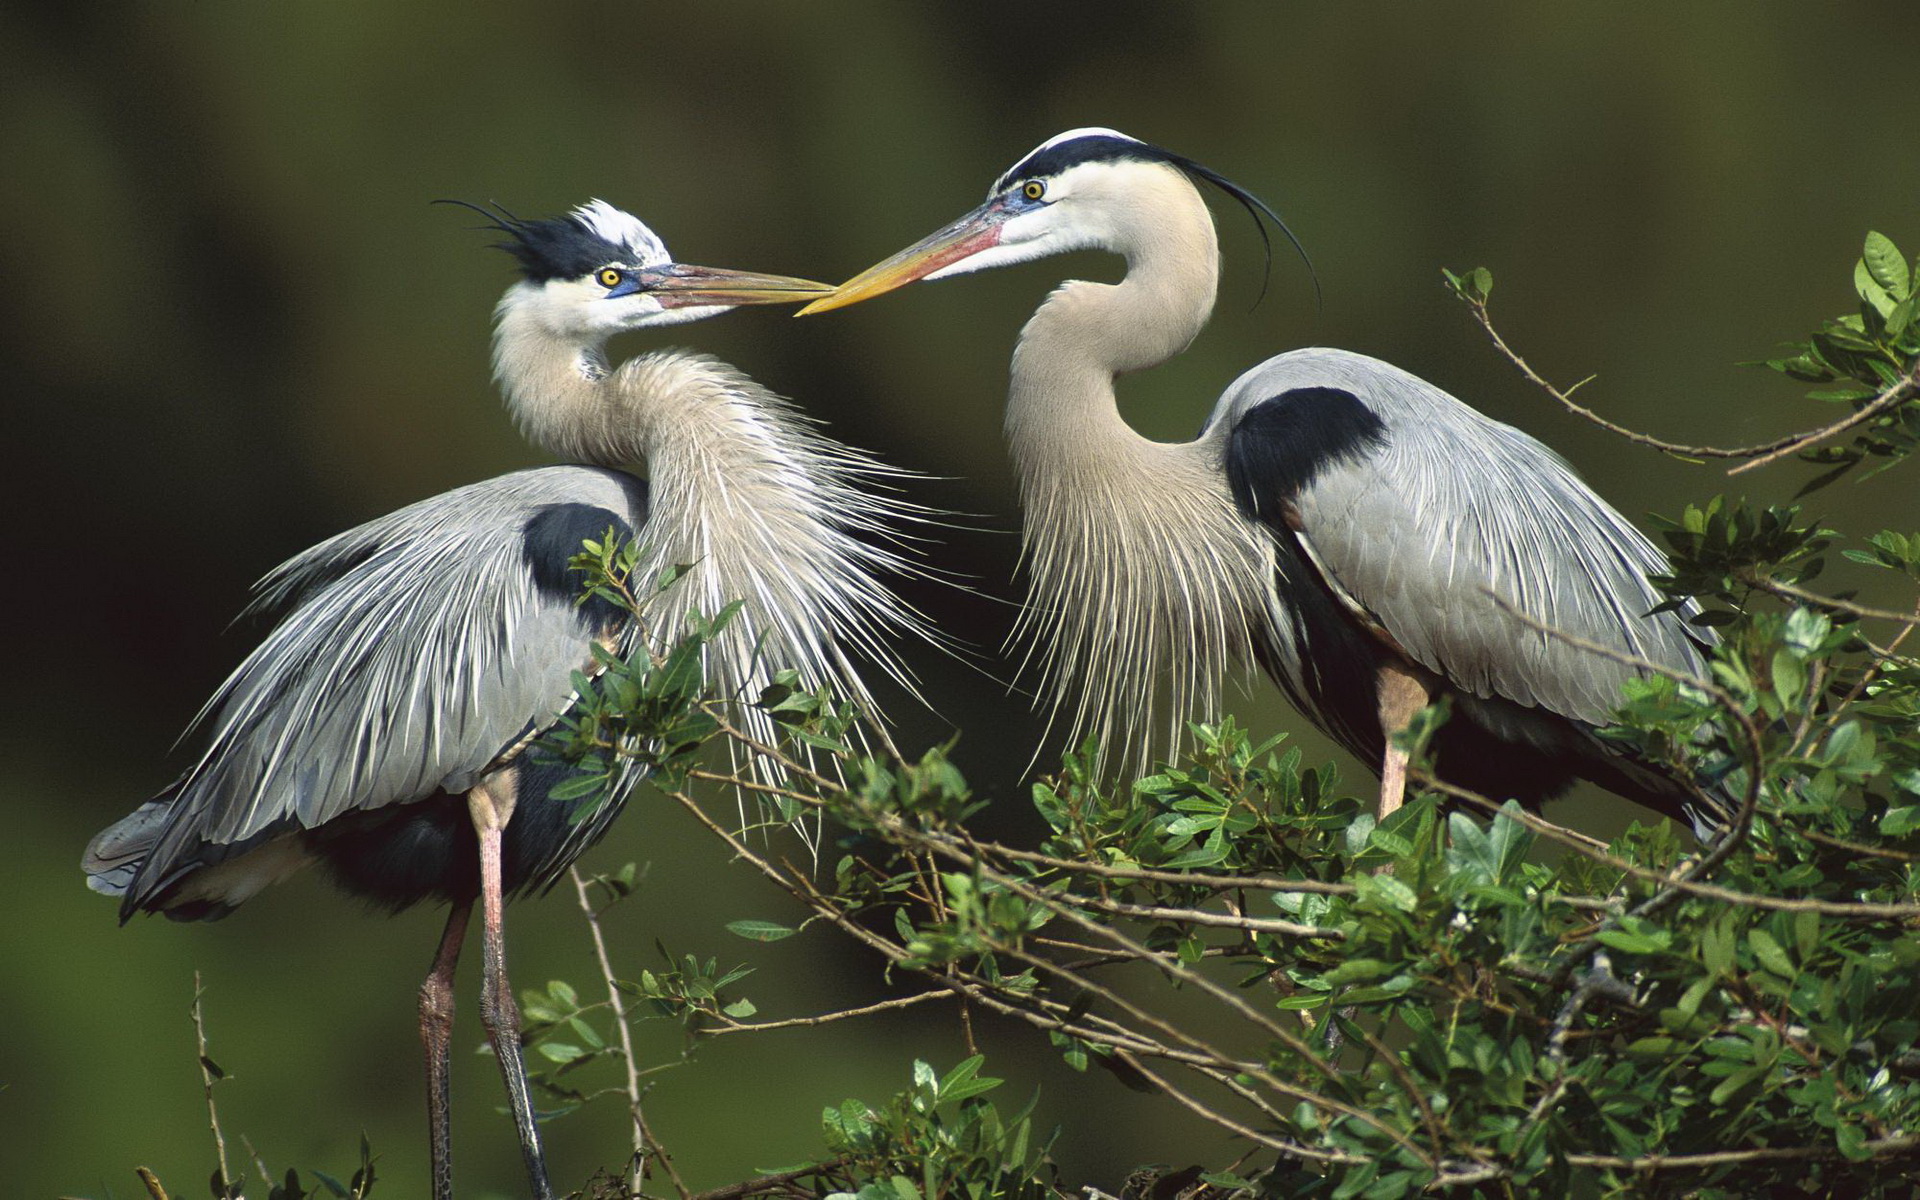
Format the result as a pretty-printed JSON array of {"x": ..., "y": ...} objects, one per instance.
[{"x": 235, "y": 325}]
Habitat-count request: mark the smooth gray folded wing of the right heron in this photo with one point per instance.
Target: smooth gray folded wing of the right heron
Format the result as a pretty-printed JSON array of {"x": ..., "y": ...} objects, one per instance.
[{"x": 1456, "y": 510}]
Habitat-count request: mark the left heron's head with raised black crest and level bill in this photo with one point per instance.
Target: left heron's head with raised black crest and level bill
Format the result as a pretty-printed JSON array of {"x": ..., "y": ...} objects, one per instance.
[{"x": 600, "y": 272}]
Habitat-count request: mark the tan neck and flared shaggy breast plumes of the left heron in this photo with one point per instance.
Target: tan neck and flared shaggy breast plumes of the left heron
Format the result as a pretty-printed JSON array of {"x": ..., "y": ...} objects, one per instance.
[{"x": 744, "y": 491}]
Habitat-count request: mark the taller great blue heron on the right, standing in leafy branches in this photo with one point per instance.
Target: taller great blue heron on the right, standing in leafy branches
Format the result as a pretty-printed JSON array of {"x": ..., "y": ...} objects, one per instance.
[{"x": 1339, "y": 521}]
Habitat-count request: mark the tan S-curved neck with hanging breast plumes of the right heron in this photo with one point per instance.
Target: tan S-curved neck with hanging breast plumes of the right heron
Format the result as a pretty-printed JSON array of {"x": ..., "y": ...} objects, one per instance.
[{"x": 1138, "y": 594}]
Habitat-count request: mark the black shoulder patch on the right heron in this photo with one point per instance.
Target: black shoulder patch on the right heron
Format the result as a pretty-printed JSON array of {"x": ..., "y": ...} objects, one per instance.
[{"x": 1284, "y": 444}]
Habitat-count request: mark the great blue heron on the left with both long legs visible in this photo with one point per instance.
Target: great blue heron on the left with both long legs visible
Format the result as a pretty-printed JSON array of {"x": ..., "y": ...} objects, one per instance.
[{"x": 381, "y": 725}]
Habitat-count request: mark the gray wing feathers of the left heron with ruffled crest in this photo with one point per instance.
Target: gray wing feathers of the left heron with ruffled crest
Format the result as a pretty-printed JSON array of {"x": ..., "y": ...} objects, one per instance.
[{"x": 418, "y": 648}]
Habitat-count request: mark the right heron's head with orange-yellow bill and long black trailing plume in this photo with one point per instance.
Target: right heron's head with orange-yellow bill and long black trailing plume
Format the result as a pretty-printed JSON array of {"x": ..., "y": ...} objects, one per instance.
[{"x": 1078, "y": 191}]
